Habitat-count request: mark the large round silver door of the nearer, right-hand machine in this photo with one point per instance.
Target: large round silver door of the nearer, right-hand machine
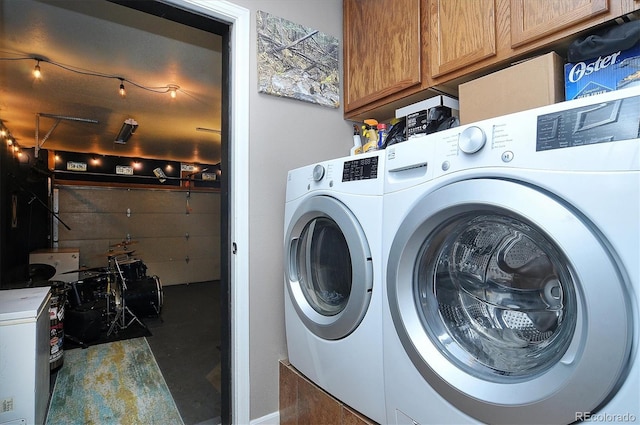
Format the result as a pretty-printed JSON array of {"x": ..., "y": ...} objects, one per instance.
[{"x": 508, "y": 303}]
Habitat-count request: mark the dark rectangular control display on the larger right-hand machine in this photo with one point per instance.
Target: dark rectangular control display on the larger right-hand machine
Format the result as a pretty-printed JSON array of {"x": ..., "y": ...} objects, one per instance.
[{"x": 600, "y": 122}]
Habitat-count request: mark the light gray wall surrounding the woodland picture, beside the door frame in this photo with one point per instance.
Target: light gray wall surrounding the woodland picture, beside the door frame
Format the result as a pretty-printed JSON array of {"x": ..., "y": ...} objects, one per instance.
[{"x": 284, "y": 134}]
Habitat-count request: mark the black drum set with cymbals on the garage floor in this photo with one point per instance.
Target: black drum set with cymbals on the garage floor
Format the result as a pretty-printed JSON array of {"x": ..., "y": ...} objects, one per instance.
[{"x": 111, "y": 298}]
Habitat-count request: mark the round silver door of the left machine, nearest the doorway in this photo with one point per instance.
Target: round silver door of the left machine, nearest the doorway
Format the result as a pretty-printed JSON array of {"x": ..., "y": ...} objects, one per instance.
[{"x": 329, "y": 274}]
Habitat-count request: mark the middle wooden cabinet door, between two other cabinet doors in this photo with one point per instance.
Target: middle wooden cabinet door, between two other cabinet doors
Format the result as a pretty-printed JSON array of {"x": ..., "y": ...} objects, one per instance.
[{"x": 462, "y": 32}]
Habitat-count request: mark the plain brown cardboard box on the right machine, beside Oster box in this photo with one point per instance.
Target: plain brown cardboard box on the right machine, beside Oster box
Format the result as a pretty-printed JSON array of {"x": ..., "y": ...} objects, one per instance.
[{"x": 525, "y": 85}]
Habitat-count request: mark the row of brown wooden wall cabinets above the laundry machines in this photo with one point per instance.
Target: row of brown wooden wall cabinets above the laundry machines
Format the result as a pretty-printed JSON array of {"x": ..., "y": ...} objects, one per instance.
[{"x": 396, "y": 51}]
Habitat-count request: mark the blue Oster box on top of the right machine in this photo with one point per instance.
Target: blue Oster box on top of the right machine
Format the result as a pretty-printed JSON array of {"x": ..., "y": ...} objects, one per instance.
[{"x": 602, "y": 74}]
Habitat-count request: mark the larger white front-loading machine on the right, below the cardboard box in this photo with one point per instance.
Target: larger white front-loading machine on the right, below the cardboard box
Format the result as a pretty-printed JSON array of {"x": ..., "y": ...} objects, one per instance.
[{"x": 512, "y": 277}]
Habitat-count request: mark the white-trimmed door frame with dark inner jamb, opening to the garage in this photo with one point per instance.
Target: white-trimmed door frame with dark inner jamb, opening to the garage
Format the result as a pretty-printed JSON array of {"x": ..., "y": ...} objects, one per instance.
[{"x": 232, "y": 23}]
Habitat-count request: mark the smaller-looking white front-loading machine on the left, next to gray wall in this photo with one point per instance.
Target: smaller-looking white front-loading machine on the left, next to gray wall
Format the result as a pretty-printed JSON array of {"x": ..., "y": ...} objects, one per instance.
[{"x": 333, "y": 287}]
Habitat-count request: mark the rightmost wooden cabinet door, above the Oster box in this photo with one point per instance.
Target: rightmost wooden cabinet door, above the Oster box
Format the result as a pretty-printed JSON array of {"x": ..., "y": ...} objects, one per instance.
[{"x": 534, "y": 19}]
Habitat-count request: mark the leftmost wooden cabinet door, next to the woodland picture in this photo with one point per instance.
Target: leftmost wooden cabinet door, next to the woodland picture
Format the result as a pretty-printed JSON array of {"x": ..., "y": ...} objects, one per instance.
[{"x": 381, "y": 49}]
